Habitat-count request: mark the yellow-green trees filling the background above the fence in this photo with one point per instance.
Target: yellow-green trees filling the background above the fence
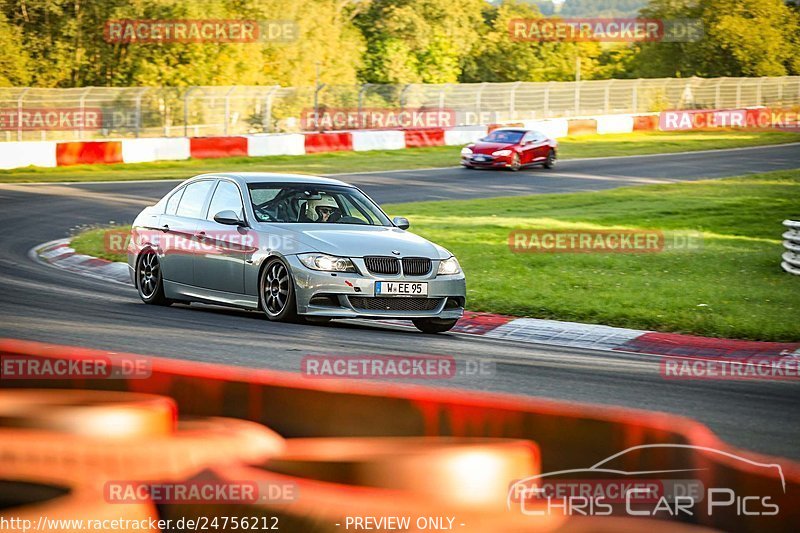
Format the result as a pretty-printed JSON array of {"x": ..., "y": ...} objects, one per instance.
[{"x": 60, "y": 43}]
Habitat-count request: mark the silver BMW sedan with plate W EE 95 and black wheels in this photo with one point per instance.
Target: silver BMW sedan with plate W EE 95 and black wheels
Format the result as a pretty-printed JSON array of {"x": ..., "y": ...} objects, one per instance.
[{"x": 296, "y": 247}]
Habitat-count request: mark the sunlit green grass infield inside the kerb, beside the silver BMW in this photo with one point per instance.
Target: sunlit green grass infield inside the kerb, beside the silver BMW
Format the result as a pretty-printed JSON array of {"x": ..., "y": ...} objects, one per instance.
[{"x": 732, "y": 287}]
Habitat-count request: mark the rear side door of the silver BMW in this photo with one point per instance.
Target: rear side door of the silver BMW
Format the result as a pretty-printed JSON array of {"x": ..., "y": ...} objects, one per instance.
[{"x": 178, "y": 241}]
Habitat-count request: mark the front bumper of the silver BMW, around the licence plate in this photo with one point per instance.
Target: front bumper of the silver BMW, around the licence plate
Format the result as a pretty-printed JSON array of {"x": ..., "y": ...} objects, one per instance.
[{"x": 342, "y": 295}]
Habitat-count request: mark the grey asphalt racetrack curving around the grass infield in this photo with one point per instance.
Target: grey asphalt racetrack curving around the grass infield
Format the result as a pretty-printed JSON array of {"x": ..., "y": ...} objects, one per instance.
[{"x": 38, "y": 302}]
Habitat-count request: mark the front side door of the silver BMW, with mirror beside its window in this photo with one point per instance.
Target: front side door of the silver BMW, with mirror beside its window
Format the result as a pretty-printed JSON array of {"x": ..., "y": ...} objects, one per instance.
[{"x": 220, "y": 260}]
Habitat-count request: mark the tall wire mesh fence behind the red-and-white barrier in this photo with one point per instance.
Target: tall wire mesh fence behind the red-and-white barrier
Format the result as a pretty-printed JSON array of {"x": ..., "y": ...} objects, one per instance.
[{"x": 236, "y": 110}]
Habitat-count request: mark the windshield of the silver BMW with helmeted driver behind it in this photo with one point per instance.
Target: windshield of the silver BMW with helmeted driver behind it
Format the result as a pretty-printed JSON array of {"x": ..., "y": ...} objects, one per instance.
[{"x": 314, "y": 204}]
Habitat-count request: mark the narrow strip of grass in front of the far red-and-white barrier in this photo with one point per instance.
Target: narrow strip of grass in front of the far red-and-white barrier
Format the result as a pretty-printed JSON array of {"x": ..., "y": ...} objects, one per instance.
[{"x": 441, "y": 156}]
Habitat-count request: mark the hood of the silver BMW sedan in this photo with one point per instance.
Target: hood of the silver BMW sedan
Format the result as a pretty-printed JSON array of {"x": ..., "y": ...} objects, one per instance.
[{"x": 357, "y": 241}]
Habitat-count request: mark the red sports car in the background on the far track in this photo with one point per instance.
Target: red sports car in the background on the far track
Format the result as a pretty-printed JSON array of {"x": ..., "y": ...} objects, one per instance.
[{"x": 511, "y": 148}]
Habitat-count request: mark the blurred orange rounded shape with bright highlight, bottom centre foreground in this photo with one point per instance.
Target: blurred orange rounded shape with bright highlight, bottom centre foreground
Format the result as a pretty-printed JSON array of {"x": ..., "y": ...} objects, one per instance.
[{"x": 459, "y": 472}]
